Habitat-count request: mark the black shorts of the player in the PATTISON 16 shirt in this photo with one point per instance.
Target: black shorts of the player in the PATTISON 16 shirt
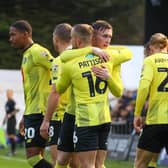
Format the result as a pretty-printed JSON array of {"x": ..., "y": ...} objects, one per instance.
[{"x": 91, "y": 137}]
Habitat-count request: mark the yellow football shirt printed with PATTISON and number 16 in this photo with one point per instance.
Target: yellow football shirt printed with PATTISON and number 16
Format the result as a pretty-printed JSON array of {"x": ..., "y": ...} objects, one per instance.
[{"x": 90, "y": 92}]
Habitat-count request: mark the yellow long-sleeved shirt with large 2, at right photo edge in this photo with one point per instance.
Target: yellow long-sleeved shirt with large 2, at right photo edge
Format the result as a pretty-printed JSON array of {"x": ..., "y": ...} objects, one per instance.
[{"x": 154, "y": 82}]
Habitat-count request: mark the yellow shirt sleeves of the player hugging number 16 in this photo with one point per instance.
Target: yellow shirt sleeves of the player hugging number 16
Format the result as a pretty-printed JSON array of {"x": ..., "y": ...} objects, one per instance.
[{"x": 118, "y": 55}]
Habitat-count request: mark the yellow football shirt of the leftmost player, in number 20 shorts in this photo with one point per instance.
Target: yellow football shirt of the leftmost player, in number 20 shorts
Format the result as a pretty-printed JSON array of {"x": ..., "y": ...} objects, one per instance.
[{"x": 36, "y": 72}]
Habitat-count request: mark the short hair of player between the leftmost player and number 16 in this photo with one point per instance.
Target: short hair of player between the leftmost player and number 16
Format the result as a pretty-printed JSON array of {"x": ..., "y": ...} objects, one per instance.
[{"x": 63, "y": 31}]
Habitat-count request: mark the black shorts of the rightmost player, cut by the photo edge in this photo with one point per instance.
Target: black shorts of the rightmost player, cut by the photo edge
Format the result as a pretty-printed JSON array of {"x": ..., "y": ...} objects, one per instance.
[{"x": 154, "y": 137}]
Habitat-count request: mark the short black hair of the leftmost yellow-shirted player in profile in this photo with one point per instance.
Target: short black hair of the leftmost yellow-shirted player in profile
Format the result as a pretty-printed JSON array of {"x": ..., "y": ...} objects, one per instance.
[{"x": 23, "y": 26}]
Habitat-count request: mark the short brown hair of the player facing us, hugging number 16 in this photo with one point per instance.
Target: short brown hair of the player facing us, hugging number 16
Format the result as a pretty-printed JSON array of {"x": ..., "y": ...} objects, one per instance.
[{"x": 101, "y": 25}]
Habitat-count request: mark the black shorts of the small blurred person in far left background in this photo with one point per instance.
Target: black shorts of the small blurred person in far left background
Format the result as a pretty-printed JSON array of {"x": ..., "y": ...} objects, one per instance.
[{"x": 11, "y": 126}]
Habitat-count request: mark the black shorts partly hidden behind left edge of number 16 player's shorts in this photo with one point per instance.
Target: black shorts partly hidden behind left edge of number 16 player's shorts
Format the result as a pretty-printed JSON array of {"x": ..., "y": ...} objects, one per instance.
[{"x": 65, "y": 140}]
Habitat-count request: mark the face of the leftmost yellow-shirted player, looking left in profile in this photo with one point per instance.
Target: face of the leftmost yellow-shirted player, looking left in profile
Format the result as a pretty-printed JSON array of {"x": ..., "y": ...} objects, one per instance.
[{"x": 16, "y": 38}]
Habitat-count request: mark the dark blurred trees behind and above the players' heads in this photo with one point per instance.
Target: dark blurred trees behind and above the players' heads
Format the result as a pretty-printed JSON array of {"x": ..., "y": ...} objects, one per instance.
[{"x": 126, "y": 17}]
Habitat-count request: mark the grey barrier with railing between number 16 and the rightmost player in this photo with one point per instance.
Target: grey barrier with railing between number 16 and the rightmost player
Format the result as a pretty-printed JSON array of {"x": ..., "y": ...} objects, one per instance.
[{"x": 122, "y": 141}]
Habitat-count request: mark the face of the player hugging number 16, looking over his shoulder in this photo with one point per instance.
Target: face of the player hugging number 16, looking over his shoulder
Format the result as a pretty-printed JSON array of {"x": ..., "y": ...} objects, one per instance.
[{"x": 102, "y": 38}]
